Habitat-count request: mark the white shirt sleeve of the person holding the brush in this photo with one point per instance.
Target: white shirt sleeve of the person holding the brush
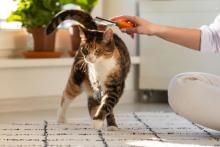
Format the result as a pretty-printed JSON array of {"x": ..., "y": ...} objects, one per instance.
[{"x": 210, "y": 37}]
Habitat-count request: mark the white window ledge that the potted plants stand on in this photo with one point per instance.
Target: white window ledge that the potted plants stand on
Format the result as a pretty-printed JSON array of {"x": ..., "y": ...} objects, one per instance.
[{"x": 25, "y": 63}]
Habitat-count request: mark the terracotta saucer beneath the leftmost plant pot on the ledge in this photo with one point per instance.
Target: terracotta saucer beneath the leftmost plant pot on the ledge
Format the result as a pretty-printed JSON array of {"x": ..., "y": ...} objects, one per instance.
[{"x": 42, "y": 54}]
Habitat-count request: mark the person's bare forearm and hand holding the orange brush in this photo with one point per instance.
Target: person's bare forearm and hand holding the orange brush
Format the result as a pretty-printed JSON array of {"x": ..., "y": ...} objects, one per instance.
[{"x": 183, "y": 36}]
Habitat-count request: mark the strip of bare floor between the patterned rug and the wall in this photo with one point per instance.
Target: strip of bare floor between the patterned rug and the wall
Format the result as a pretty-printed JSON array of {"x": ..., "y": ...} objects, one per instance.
[{"x": 38, "y": 116}]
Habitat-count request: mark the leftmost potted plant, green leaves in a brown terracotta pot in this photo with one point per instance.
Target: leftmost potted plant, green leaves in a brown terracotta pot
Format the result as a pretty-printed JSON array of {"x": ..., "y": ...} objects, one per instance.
[{"x": 35, "y": 15}]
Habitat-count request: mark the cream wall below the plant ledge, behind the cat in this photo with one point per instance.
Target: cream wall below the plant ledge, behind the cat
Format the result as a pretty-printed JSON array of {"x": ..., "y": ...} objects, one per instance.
[{"x": 33, "y": 84}]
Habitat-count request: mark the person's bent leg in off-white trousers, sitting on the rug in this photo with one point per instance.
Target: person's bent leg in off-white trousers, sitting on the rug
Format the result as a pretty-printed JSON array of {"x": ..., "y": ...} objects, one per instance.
[{"x": 196, "y": 96}]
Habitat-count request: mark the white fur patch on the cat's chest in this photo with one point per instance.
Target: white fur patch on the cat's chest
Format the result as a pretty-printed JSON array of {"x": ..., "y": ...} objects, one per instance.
[{"x": 100, "y": 70}]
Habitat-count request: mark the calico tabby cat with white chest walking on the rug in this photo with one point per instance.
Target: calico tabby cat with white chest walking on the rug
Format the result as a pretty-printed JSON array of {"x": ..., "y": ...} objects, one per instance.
[{"x": 100, "y": 68}]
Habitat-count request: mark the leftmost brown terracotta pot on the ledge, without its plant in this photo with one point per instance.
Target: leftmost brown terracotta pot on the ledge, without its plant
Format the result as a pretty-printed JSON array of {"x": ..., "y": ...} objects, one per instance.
[{"x": 42, "y": 42}]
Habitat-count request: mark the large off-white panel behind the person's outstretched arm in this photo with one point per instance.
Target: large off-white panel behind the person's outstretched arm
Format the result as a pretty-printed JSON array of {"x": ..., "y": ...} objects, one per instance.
[{"x": 162, "y": 60}]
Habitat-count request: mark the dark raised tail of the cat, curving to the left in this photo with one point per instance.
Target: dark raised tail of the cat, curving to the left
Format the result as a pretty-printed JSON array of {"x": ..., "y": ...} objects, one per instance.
[{"x": 82, "y": 17}]
